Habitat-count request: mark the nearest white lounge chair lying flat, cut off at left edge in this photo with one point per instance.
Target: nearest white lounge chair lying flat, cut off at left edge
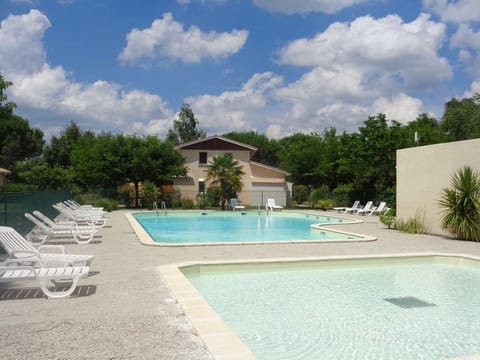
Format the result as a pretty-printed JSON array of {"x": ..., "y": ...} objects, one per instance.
[{"x": 46, "y": 276}]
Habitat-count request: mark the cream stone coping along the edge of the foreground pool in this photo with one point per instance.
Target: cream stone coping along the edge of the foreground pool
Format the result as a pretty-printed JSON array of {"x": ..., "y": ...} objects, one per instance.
[{"x": 220, "y": 340}]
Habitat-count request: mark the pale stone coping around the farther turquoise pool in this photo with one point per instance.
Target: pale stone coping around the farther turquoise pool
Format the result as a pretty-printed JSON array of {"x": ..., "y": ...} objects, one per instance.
[{"x": 146, "y": 239}]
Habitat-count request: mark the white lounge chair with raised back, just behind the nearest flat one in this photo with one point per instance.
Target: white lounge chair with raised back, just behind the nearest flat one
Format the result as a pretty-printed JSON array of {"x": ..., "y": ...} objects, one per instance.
[{"x": 22, "y": 252}]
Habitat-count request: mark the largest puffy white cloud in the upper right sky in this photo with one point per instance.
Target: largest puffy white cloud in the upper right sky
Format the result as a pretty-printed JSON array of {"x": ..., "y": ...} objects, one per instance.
[{"x": 384, "y": 50}]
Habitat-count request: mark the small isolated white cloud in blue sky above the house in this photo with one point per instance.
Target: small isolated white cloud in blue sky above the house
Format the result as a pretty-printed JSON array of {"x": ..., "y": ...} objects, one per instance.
[{"x": 167, "y": 39}]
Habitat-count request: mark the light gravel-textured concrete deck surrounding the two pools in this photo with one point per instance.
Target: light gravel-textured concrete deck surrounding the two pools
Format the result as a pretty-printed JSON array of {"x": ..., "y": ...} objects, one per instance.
[{"x": 124, "y": 310}]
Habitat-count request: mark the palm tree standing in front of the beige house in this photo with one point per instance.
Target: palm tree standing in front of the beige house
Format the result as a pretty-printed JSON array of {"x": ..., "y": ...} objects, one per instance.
[{"x": 227, "y": 172}]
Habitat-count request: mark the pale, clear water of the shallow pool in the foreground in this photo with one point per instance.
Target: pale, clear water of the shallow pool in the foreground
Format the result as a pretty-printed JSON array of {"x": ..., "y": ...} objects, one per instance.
[{"x": 415, "y": 308}]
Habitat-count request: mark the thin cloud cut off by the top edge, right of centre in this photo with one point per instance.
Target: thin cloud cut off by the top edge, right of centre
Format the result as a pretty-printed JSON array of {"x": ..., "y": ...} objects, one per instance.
[{"x": 305, "y": 6}]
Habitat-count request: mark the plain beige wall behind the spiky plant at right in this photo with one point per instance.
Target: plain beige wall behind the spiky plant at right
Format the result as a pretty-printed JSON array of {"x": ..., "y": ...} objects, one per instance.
[{"x": 422, "y": 173}]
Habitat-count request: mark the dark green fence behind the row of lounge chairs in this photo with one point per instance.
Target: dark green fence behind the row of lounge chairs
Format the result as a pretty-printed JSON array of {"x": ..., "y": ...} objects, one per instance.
[{"x": 14, "y": 205}]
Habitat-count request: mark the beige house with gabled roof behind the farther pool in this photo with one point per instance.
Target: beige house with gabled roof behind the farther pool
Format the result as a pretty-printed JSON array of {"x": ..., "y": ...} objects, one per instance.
[{"x": 259, "y": 182}]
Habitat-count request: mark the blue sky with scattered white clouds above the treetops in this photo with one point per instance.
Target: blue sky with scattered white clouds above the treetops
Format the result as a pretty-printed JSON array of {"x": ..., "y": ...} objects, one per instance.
[{"x": 276, "y": 67}]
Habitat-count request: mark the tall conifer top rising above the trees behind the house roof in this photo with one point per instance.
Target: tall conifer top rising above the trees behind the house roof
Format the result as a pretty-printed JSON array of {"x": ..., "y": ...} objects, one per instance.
[{"x": 185, "y": 127}]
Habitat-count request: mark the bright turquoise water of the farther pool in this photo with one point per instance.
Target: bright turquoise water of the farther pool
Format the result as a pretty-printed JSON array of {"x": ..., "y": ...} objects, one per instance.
[{"x": 228, "y": 227}]
